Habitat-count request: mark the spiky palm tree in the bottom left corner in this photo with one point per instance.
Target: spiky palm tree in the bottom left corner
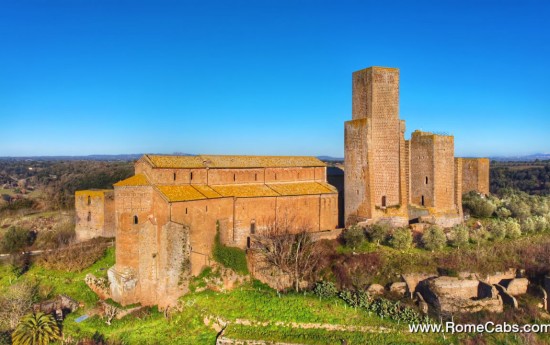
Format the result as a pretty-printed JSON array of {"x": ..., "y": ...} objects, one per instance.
[{"x": 36, "y": 329}]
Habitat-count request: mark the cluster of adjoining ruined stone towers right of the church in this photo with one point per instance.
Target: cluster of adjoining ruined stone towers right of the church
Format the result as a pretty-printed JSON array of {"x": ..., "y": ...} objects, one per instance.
[{"x": 388, "y": 178}]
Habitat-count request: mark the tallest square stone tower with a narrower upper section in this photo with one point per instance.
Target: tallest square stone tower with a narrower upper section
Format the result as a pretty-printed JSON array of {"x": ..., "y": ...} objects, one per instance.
[{"x": 376, "y": 162}]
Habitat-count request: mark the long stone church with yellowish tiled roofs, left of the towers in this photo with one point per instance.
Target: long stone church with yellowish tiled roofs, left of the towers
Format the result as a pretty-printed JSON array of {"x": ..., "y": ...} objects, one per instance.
[{"x": 168, "y": 213}]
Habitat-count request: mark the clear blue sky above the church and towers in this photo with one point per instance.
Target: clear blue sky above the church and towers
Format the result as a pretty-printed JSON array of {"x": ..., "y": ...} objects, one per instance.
[{"x": 266, "y": 77}]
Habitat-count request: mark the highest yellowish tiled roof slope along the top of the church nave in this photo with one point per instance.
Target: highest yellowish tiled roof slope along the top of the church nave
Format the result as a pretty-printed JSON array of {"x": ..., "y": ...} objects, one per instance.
[{"x": 216, "y": 161}]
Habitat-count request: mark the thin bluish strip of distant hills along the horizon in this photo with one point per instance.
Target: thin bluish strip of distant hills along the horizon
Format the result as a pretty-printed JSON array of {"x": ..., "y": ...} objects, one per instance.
[{"x": 135, "y": 156}]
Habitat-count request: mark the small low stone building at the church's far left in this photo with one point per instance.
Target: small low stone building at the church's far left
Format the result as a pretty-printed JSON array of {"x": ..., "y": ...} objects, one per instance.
[{"x": 95, "y": 211}]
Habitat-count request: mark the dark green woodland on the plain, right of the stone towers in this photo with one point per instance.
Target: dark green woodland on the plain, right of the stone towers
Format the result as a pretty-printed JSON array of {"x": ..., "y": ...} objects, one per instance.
[{"x": 530, "y": 177}]
